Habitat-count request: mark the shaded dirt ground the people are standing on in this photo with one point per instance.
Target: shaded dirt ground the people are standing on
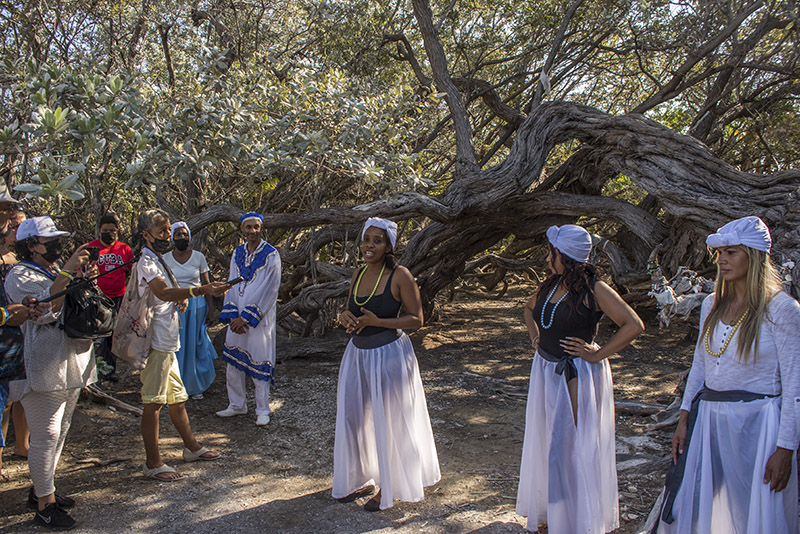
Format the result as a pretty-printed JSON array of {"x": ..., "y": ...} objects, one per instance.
[{"x": 475, "y": 365}]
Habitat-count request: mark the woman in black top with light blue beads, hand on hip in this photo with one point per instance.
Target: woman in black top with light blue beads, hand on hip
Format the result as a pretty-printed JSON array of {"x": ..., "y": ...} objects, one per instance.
[{"x": 568, "y": 476}]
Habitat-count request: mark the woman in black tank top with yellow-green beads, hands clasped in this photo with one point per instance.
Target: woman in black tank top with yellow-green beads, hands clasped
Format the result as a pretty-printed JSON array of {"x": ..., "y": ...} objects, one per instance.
[{"x": 383, "y": 432}]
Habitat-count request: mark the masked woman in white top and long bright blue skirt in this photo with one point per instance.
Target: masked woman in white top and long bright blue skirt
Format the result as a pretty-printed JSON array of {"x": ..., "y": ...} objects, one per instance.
[{"x": 196, "y": 355}]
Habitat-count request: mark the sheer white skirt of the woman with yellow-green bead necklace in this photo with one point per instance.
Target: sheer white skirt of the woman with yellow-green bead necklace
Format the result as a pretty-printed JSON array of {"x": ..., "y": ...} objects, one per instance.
[{"x": 383, "y": 432}]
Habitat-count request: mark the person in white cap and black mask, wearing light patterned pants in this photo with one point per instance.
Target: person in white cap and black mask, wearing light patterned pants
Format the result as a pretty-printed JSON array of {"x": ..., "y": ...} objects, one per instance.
[{"x": 57, "y": 367}]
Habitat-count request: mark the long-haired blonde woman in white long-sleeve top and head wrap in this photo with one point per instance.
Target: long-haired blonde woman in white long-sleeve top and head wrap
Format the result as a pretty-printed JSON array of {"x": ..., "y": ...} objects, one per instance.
[{"x": 734, "y": 464}]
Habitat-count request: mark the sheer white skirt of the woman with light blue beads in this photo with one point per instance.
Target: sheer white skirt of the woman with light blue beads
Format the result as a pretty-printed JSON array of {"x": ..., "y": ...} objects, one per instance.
[{"x": 568, "y": 476}]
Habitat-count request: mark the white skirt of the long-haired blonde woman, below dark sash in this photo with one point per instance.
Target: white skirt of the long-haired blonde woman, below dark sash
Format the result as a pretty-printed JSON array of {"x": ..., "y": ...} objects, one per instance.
[{"x": 723, "y": 490}]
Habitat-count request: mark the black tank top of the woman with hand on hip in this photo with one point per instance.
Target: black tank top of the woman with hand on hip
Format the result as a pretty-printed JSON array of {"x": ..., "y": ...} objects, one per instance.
[{"x": 582, "y": 324}]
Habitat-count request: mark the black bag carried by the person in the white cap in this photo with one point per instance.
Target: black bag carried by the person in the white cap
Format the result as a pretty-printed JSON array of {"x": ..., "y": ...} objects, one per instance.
[{"x": 87, "y": 313}]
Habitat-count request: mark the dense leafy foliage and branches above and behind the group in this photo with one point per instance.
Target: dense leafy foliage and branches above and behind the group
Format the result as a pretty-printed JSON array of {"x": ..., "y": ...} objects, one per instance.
[{"x": 290, "y": 107}]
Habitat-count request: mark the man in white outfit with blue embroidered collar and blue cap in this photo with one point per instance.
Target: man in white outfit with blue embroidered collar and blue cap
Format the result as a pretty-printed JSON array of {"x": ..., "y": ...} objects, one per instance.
[{"x": 250, "y": 313}]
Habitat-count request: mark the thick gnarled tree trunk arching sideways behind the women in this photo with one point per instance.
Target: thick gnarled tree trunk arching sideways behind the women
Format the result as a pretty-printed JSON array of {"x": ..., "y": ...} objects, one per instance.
[{"x": 696, "y": 190}]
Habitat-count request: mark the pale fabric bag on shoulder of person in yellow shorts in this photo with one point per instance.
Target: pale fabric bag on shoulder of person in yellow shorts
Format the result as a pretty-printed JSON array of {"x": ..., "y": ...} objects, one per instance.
[{"x": 132, "y": 333}]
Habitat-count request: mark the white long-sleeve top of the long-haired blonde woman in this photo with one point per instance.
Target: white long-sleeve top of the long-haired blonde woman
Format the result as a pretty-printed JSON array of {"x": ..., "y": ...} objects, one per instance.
[{"x": 775, "y": 370}]
